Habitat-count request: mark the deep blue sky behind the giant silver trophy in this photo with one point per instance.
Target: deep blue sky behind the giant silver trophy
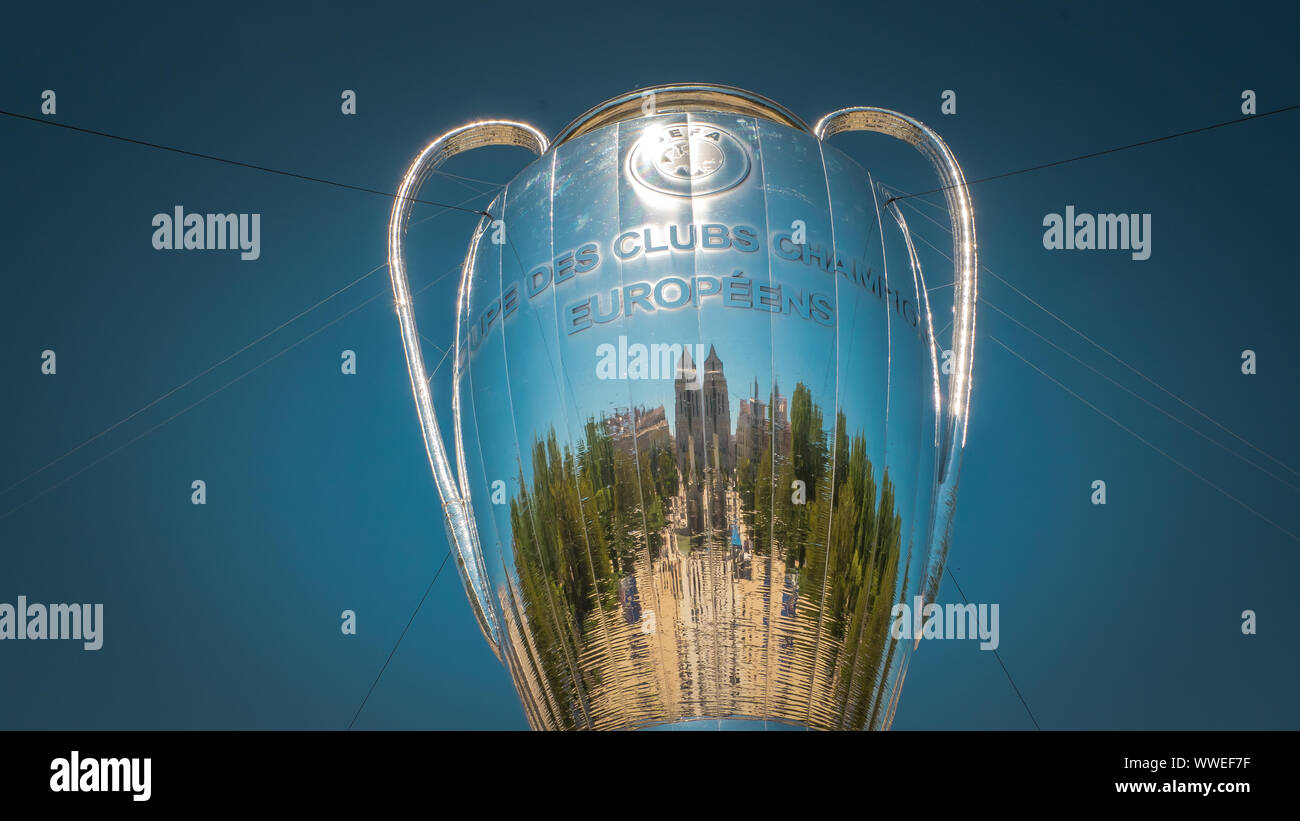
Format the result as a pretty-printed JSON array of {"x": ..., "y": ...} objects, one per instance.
[{"x": 319, "y": 493}]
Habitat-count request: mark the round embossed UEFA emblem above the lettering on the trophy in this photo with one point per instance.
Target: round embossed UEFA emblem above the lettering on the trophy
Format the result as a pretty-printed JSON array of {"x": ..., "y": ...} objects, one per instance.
[{"x": 688, "y": 160}]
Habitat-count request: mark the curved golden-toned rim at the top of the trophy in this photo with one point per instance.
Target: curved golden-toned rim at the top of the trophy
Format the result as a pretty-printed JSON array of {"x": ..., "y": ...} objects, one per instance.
[{"x": 674, "y": 98}]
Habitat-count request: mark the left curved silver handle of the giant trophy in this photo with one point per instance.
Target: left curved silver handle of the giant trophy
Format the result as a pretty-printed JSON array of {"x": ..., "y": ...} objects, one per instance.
[{"x": 458, "y": 515}]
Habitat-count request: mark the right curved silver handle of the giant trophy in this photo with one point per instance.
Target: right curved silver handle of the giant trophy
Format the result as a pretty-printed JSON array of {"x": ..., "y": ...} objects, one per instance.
[{"x": 965, "y": 293}]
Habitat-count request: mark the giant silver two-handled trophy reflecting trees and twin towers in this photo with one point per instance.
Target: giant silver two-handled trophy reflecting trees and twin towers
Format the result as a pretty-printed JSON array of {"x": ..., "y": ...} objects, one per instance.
[{"x": 703, "y": 440}]
